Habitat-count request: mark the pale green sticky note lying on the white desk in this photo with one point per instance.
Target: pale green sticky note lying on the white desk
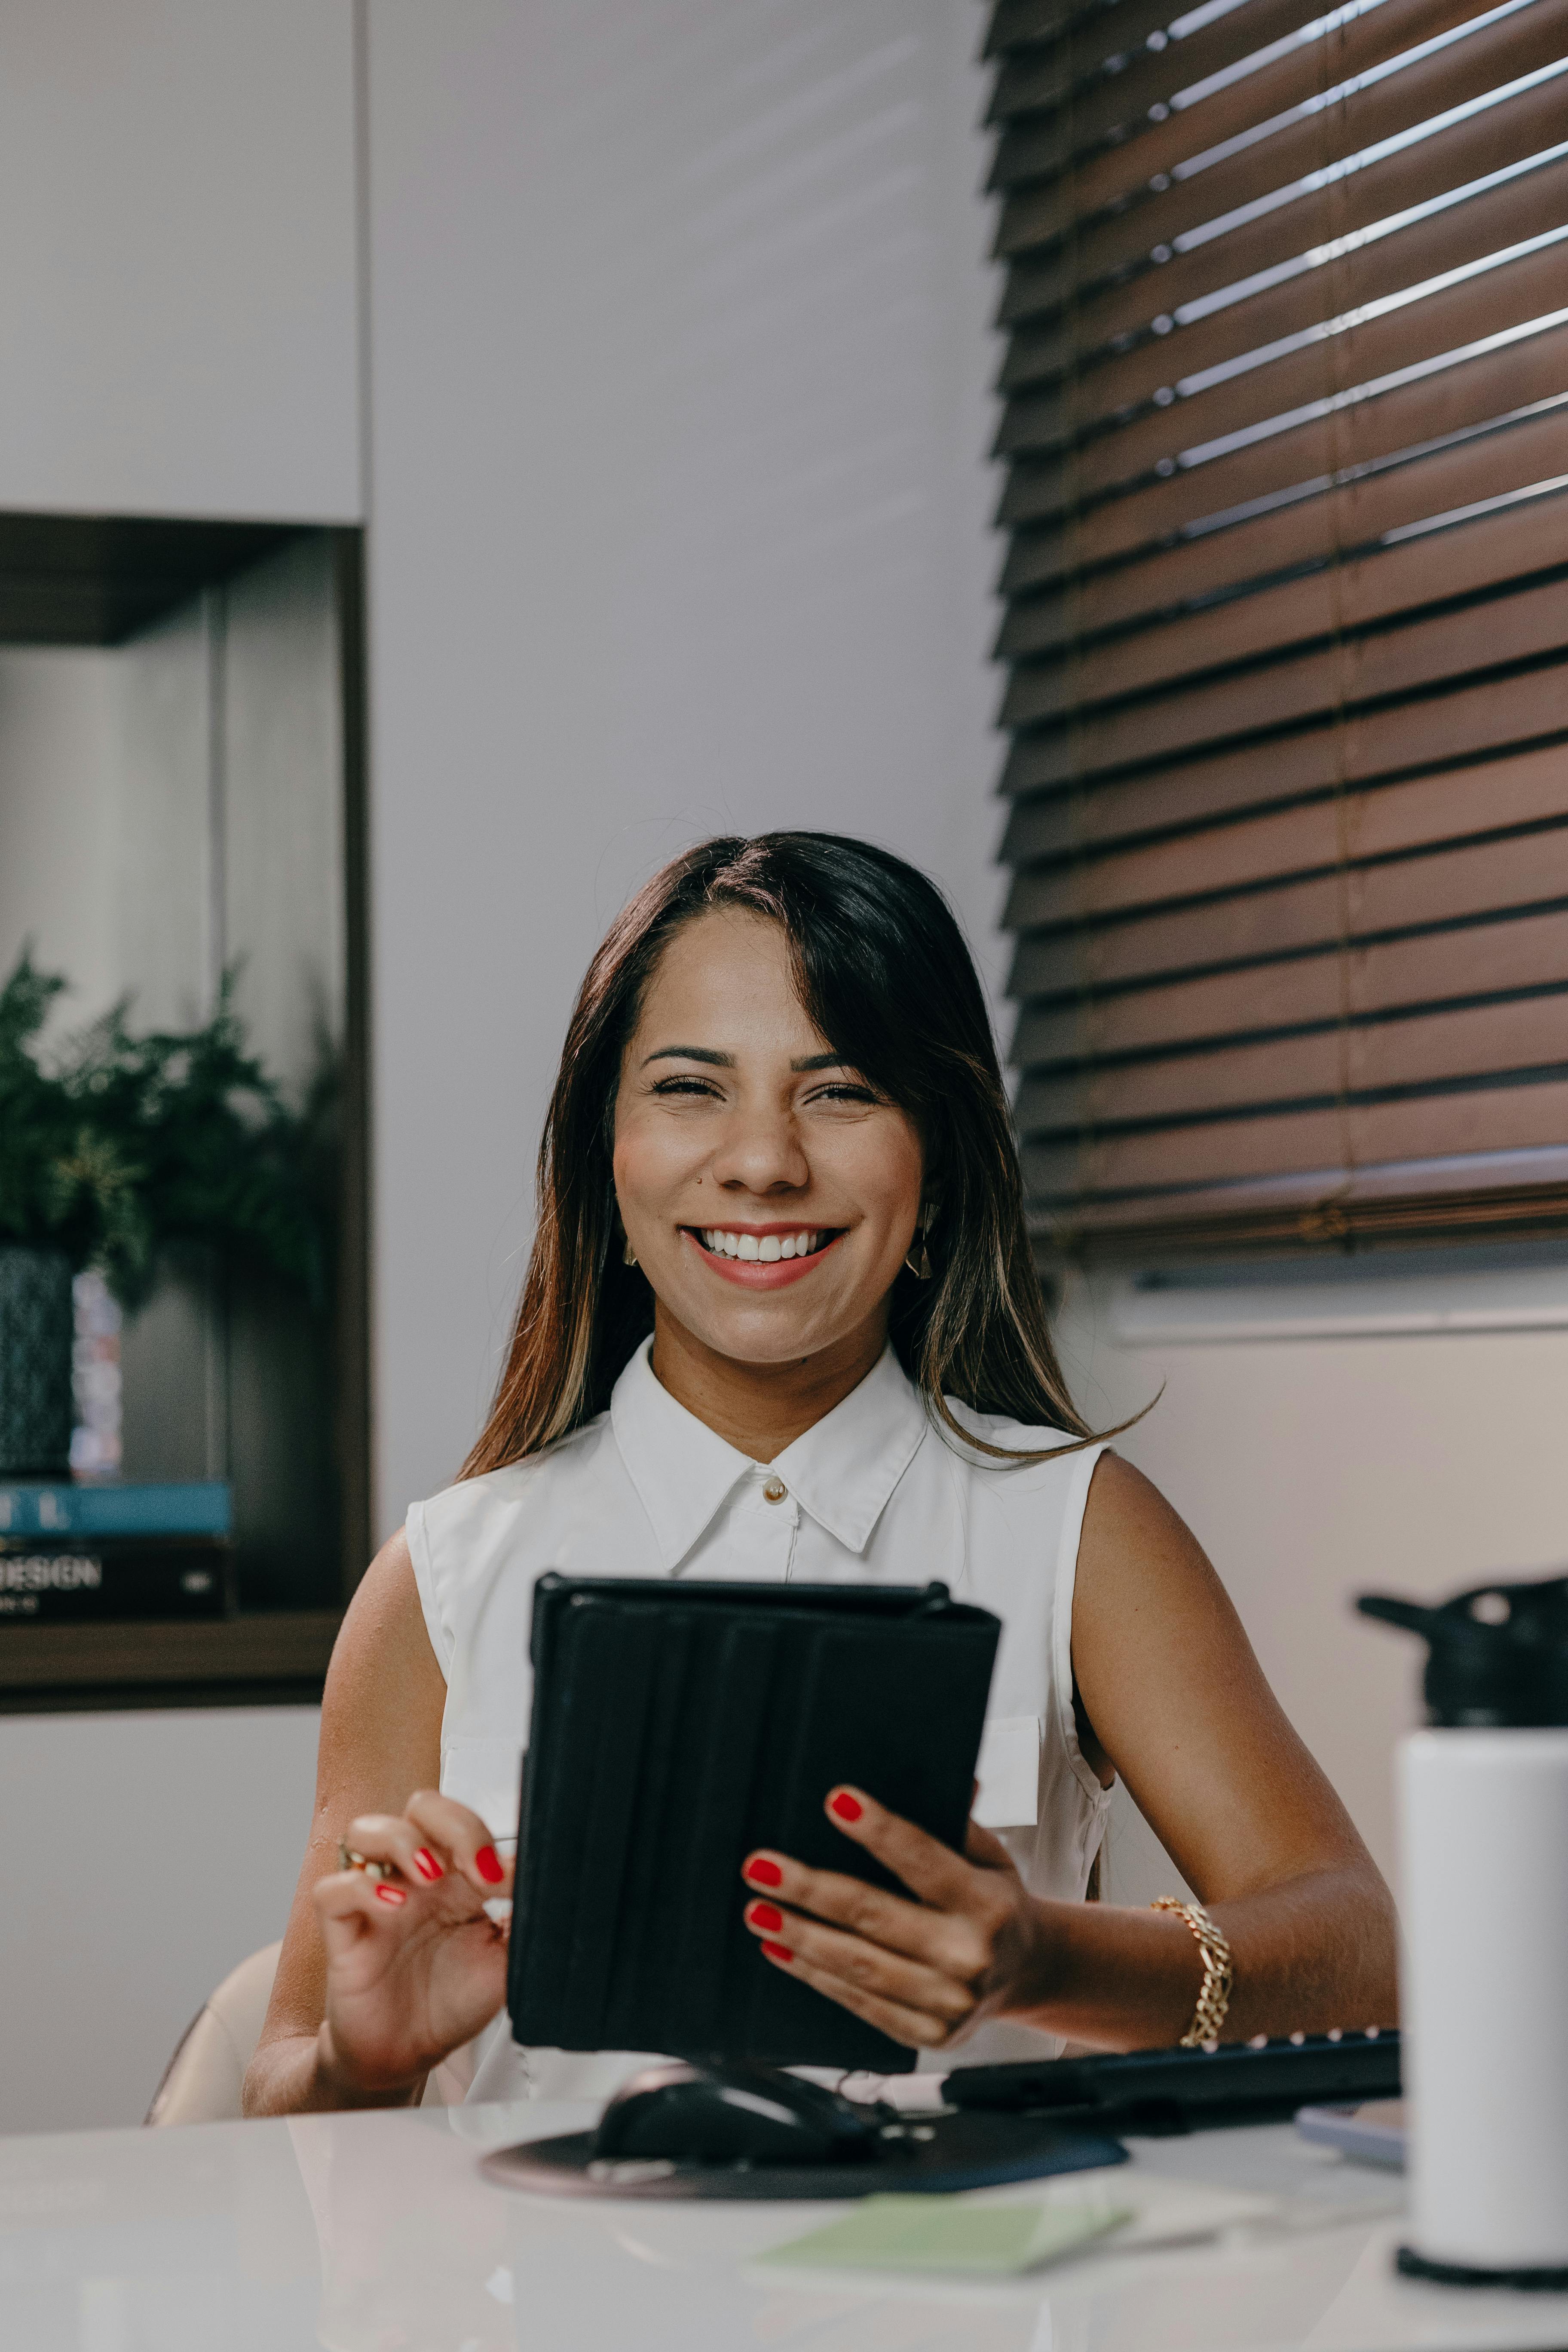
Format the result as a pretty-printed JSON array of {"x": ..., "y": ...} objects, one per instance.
[{"x": 949, "y": 2233}]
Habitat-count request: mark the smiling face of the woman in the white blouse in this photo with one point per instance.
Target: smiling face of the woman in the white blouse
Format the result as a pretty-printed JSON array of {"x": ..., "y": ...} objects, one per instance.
[{"x": 768, "y": 1191}]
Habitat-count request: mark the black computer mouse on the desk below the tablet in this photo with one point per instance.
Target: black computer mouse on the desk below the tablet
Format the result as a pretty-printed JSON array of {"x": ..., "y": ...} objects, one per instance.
[{"x": 735, "y": 2116}]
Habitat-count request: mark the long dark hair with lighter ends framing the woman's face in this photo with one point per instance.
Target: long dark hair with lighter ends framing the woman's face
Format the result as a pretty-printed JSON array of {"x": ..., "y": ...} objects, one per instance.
[{"x": 887, "y": 980}]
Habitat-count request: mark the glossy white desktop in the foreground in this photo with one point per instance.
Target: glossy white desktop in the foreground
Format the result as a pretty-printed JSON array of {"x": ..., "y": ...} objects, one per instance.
[{"x": 377, "y": 2233}]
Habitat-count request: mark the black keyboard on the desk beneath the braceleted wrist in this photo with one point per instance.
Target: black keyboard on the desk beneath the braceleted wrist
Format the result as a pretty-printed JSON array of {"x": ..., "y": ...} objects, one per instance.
[{"x": 1240, "y": 2083}]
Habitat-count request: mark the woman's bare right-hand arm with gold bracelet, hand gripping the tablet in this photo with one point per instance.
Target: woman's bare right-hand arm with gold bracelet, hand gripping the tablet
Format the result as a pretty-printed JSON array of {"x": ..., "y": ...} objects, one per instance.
[{"x": 1174, "y": 1702}]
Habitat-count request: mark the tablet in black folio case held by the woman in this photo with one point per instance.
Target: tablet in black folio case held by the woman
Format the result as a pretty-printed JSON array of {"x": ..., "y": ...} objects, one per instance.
[{"x": 676, "y": 1728}]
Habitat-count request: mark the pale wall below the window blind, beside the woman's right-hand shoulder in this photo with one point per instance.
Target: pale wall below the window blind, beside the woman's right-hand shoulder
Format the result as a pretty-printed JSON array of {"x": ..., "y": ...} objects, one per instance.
[{"x": 1318, "y": 1469}]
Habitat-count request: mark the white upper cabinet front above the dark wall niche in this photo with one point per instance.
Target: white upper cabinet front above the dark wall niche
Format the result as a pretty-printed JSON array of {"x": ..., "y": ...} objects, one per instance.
[{"x": 177, "y": 265}]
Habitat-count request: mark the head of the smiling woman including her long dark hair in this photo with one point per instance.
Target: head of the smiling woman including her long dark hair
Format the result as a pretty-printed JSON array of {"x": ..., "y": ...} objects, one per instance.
[{"x": 779, "y": 1036}]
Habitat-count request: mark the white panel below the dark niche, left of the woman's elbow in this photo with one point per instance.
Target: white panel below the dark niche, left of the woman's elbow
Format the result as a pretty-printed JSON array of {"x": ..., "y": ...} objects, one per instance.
[{"x": 145, "y": 1857}]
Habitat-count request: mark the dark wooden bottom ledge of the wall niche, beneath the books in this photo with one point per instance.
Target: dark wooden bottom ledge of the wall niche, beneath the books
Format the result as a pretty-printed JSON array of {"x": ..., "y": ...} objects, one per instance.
[{"x": 248, "y": 1662}]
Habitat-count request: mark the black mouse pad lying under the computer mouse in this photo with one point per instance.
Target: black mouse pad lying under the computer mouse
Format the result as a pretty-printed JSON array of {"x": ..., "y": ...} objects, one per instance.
[{"x": 960, "y": 2153}]
